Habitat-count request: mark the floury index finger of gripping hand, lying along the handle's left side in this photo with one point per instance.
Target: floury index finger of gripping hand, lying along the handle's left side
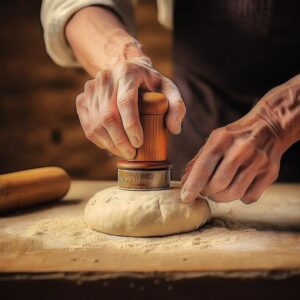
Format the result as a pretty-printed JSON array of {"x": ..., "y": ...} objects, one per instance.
[{"x": 127, "y": 102}]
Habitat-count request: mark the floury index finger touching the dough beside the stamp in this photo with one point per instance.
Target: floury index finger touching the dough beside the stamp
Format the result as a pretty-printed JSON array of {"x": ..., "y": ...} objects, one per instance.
[{"x": 202, "y": 170}]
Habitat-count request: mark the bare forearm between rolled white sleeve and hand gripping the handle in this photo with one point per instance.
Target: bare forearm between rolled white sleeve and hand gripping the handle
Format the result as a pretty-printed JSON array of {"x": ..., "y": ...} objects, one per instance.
[{"x": 99, "y": 40}]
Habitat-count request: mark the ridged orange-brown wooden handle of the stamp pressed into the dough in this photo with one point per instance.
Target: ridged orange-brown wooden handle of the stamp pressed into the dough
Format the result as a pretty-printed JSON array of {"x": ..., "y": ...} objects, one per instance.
[{"x": 153, "y": 107}]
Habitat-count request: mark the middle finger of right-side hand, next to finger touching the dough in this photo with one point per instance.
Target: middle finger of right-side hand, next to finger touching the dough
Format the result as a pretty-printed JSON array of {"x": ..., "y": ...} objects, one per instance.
[{"x": 227, "y": 169}]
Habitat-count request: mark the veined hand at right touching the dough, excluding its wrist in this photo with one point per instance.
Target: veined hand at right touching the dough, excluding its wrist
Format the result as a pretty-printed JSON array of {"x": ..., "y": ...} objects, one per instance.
[{"x": 238, "y": 161}]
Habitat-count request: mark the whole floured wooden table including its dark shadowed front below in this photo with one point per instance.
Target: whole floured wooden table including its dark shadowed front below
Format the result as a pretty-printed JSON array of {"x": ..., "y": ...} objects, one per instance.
[{"x": 246, "y": 251}]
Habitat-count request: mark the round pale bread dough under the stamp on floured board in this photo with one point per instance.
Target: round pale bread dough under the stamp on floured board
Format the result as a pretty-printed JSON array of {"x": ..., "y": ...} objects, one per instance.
[{"x": 144, "y": 213}]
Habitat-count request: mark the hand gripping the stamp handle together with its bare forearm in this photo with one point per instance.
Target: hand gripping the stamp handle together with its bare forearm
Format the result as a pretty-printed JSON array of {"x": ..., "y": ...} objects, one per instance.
[{"x": 108, "y": 107}]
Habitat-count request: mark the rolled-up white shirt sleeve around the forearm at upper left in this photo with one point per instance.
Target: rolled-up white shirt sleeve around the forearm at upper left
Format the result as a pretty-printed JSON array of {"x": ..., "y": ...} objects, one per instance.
[{"x": 56, "y": 13}]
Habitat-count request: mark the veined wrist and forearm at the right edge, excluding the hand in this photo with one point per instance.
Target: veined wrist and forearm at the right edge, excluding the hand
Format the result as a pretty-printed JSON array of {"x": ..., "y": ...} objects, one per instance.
[{"x": 280, "y": 108}]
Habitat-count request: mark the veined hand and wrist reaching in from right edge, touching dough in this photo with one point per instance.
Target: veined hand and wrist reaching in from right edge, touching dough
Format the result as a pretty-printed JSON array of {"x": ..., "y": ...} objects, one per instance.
[{"x": 240, "y": 160}]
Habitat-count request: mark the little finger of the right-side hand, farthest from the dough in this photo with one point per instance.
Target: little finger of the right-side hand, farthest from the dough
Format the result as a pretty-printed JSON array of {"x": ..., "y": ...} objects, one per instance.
[{"x": 258, "y": 186}]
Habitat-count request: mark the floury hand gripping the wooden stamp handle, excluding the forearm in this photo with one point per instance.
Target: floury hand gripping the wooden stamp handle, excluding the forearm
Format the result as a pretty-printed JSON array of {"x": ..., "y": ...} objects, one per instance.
[{"x": 108, "y": 107}]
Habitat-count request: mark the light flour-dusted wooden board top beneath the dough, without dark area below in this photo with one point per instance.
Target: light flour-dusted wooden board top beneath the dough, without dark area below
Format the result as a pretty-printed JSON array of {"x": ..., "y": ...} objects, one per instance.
[{"x": 249, "y": 239}]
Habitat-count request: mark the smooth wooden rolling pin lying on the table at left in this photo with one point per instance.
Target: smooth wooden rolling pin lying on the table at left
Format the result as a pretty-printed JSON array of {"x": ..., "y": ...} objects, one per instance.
[{"x": 26, "y": 188}]
